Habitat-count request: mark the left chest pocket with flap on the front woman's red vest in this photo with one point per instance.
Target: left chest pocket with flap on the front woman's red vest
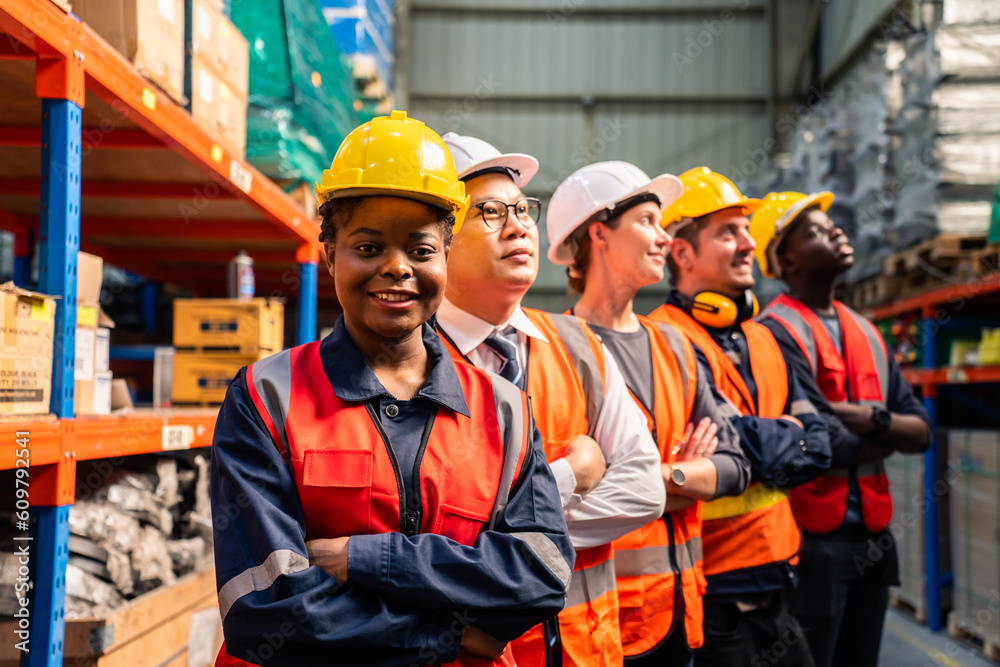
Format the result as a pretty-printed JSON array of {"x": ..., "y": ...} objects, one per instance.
[{"x": 335, "y": 488}]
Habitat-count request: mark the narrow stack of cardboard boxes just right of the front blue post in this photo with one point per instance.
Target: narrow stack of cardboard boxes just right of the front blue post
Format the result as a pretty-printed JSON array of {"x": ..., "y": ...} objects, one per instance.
[{"x": 93, "y": 340}]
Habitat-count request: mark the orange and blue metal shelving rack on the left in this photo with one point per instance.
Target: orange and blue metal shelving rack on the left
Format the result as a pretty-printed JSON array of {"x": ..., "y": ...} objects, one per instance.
[{"x": 94, "y": 157}]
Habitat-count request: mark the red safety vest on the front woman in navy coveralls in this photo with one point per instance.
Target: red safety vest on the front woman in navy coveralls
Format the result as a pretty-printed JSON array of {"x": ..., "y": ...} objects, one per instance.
[{"x": 340, "y": 460}]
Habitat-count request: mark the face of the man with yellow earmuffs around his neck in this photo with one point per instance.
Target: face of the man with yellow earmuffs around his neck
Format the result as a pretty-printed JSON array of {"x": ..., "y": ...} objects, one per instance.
[{"x": 721, "y": 260}]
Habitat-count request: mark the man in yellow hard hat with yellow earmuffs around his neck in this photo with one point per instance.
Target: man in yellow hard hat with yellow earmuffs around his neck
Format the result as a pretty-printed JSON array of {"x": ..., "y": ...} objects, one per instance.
[{"x": 750, "y": 542}]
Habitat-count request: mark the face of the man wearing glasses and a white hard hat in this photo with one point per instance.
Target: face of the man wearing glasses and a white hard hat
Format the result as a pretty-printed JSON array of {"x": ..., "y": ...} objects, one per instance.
[{"x": 485, "y": 260}]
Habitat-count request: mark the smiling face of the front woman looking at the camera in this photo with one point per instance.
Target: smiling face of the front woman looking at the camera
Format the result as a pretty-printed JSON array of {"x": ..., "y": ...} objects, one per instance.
[{"x": 389, "y": 265}]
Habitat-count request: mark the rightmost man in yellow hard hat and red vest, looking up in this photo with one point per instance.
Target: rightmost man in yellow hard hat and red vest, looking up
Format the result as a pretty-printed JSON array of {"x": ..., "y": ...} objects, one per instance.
[{"x": 871, "y": 411}]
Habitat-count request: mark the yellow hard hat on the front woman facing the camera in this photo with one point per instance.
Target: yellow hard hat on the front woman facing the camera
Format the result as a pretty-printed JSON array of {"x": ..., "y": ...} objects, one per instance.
[{"x": 399, "y": 157}]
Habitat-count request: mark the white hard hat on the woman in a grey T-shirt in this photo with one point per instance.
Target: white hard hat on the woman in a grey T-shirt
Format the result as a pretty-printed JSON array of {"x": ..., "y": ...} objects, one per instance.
[{"x": 594, "y": 192}]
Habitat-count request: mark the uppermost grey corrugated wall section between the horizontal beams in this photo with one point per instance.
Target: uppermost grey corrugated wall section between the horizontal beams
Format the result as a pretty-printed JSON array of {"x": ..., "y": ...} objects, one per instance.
[{"x": 527, "y": 54}]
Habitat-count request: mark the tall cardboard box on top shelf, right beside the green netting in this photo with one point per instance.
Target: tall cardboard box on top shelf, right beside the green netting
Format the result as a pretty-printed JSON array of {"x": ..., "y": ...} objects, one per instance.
[{"x": 218, "y": 72}]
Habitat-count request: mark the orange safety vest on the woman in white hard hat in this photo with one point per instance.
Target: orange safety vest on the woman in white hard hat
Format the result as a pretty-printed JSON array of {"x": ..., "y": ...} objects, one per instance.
[{"x": 649, "y": 560}]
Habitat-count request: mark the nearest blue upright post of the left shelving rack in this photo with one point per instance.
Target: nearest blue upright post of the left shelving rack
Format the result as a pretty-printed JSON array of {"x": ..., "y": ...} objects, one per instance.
[{"x": 60, "y": 242}]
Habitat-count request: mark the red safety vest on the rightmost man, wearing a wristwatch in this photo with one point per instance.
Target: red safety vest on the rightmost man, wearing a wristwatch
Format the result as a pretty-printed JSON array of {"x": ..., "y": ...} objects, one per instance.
[{"x": 860, "y": 375}]
